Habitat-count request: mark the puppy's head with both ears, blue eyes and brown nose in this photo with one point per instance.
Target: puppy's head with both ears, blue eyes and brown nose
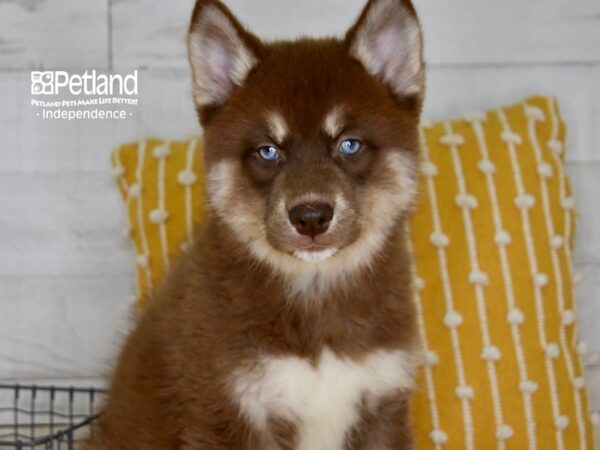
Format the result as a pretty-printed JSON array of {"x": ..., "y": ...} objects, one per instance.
[{"x": 310, "y": 146}]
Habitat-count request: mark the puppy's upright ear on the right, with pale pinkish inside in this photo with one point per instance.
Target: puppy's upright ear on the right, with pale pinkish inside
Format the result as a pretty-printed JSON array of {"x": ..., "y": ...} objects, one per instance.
[{"x": 388, "y": 42}]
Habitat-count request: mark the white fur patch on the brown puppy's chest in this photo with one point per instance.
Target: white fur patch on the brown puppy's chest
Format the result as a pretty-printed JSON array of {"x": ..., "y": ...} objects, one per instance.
[{"x": 322, "y": 400}]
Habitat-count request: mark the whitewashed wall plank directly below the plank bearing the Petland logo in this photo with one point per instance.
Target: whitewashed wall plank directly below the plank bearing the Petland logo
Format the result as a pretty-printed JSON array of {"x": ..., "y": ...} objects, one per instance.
[{"x": 62, "y": 225}]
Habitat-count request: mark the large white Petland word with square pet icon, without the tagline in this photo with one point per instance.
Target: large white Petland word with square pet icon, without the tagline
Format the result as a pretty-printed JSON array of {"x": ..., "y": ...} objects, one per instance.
[{"x": 88, "y": 83}]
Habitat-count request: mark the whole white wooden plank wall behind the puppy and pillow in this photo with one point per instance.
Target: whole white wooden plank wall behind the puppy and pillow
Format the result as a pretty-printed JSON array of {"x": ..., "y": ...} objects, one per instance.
[{"x": 65, "y": 271}]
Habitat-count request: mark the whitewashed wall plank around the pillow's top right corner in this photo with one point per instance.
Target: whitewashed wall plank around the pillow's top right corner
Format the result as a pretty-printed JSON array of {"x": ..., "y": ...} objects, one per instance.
[{"x": 452, "y": 91}]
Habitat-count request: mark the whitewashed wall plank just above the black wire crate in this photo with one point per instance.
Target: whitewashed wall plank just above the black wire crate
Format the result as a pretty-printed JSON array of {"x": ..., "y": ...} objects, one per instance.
[{"x": 62, "y": 326}]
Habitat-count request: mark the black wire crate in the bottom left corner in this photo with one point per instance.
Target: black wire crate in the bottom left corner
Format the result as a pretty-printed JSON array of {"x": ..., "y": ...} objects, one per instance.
[{"x": 47, "y": 417}]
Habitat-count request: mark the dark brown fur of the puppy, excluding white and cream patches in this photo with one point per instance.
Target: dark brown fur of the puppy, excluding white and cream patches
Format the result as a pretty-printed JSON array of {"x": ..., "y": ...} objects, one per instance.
[{"x": 222, "y": 307}]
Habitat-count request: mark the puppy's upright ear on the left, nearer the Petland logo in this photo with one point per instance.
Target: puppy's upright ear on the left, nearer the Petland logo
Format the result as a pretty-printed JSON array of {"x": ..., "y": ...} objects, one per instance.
[{"x": 222, "y": 54}]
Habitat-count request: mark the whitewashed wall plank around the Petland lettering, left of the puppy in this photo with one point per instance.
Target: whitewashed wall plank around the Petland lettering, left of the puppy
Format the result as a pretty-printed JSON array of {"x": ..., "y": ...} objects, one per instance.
[{"x": 33, "y": 144}]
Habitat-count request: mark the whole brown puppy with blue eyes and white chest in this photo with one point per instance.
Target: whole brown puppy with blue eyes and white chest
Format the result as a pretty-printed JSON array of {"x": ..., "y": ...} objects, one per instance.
[{"x": 290, "y": 324}]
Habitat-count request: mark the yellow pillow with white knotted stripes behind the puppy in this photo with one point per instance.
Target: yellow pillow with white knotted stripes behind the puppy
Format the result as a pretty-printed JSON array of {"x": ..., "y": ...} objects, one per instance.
[{"x": 492, "y": 241}]
